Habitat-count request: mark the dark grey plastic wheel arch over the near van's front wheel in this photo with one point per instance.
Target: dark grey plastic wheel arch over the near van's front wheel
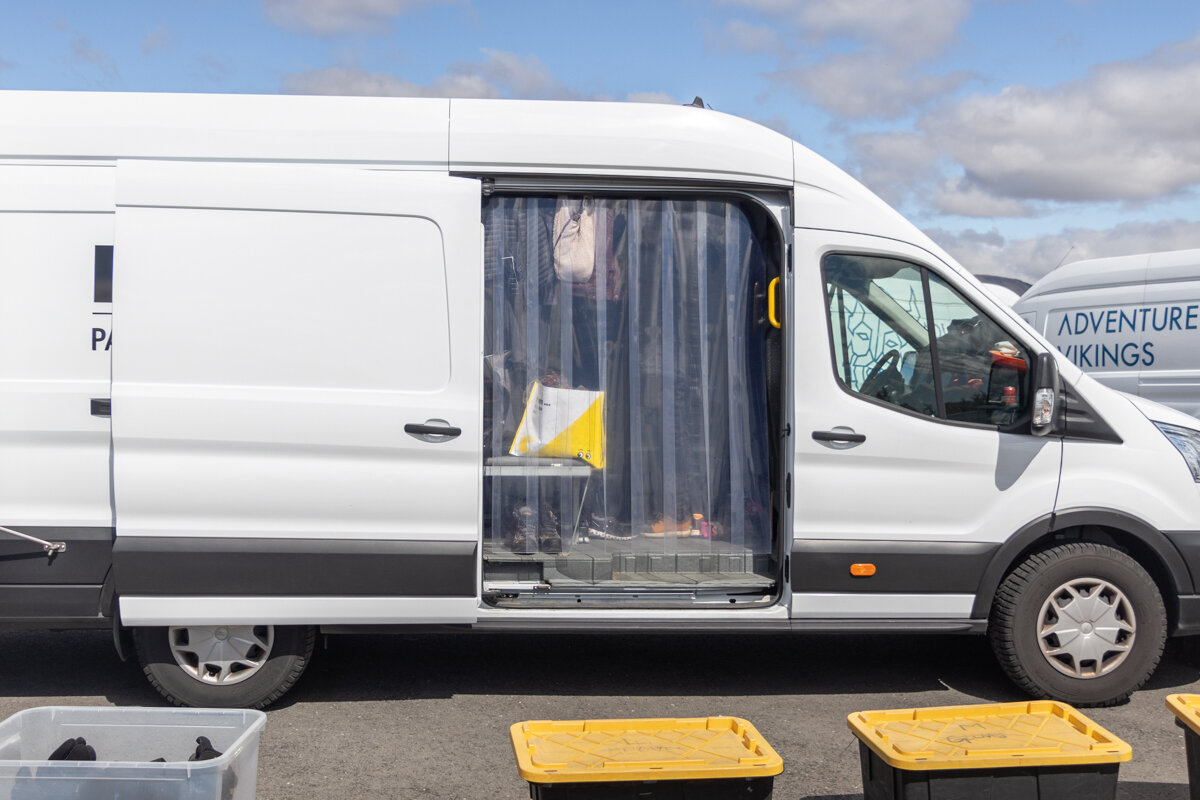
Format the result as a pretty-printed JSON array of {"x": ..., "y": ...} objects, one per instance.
[{"x": 1144, "y": 543}]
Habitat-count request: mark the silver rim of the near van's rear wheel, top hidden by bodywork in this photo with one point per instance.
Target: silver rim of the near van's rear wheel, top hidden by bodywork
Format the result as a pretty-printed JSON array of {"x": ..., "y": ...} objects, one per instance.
[{"x": 221, "y": 654}]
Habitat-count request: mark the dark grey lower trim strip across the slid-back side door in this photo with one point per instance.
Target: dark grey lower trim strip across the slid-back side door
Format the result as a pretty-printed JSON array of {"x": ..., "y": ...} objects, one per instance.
[{"x": 292, "y": 568}]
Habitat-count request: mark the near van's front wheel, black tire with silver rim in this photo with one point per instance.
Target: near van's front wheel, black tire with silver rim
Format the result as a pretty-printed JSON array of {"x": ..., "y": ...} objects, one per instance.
[{"x": 1126, "y": 590}]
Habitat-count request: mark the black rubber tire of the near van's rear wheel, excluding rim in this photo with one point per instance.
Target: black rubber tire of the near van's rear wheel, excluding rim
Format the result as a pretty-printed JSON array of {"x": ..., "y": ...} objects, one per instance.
[{"x": 283, "y": 665}]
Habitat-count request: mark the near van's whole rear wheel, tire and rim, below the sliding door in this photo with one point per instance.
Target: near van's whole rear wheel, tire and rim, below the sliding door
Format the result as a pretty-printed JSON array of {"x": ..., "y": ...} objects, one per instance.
[{"x": 224, "y": 666}]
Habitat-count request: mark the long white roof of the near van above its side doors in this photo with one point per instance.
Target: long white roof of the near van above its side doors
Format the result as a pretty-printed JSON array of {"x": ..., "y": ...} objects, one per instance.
[{"x": 506, "y": 137}]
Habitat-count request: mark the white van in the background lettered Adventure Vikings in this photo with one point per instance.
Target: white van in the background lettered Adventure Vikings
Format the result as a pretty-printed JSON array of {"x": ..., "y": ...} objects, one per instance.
[{"x": 1132, "y": 322}]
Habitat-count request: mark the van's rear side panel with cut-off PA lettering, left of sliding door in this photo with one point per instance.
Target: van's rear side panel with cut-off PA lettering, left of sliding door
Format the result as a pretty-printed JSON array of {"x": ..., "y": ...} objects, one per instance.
[{"x": 56, "y": 246}]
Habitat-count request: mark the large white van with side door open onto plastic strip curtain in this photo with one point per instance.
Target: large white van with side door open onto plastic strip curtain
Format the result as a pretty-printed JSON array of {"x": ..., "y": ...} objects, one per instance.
[{"x": 278, "y": 366}]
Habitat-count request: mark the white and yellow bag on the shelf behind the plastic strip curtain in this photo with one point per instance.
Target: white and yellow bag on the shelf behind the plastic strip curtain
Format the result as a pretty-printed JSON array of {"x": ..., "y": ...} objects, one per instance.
[{"x": 562, "y": 424}]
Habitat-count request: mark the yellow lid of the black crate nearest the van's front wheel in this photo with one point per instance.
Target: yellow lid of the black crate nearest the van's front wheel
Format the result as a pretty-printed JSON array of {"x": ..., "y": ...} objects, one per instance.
[{"x": 1040, "y": 733}]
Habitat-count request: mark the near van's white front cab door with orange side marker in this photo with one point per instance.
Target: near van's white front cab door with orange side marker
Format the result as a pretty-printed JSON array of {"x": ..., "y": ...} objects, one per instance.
[{"x": 926, "y": 501}]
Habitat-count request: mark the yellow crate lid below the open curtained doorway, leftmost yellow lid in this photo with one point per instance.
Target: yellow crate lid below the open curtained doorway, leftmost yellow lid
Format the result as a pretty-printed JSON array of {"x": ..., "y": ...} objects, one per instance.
[{"x": 585, "y": 751}]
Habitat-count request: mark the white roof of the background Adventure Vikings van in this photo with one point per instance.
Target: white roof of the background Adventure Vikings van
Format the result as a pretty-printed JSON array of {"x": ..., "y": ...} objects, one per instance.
[{"x": 1119, "y": 270}]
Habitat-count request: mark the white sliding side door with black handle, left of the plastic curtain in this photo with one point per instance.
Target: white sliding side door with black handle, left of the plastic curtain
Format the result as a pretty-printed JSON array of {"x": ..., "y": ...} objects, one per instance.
[{"x": 296, "y": 395}]
